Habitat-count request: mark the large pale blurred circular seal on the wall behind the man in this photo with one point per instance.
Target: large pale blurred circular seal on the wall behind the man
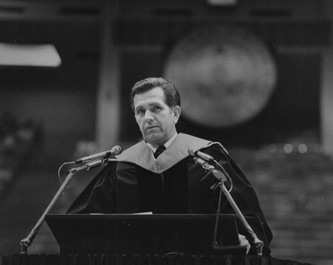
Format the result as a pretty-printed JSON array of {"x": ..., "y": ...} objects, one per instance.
[{"x": 225, "y": 75}]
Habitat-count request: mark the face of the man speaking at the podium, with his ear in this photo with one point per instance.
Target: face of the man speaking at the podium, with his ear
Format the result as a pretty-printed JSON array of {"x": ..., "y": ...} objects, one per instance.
[{"x": 156, "y": 120}]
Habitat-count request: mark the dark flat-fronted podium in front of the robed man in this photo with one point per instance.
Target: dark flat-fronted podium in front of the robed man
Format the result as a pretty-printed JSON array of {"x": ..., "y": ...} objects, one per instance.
[{"x": 145, "y": 234}]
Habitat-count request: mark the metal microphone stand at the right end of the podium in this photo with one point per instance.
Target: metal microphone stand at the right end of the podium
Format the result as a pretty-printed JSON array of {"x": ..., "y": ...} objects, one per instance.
[{"x": 257, "y": 242}]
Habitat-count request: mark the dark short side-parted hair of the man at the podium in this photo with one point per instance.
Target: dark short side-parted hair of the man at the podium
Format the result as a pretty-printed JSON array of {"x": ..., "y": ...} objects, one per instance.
[{"x": 171, "y": 94}]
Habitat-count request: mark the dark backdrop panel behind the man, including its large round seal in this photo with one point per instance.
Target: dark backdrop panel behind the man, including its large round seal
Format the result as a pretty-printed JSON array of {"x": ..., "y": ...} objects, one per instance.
[{"x": 236, "y": 86}]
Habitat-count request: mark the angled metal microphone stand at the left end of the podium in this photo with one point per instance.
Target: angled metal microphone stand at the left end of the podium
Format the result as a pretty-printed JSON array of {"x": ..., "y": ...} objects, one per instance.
[{"x": 26, "y": 242}]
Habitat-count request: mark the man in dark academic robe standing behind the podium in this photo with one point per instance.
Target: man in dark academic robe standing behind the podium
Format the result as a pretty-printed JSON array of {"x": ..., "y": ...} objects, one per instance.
[{"x": 170, "y": 181}]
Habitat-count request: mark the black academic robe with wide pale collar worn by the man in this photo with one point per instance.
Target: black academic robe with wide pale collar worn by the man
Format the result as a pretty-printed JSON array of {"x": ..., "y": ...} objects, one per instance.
[{"x": 172, "y": 183}]
